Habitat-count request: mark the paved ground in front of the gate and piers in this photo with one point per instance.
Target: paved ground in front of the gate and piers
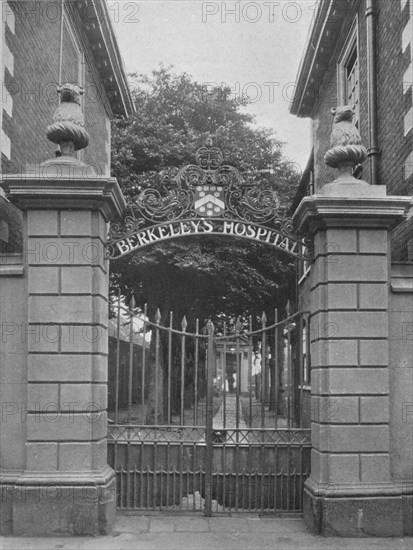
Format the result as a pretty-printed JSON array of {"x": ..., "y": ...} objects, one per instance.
[{"x": 246, "y": 532}]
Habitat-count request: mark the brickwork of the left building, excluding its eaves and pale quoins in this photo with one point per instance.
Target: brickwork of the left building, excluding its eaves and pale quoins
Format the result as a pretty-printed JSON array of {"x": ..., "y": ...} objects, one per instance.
[{"x": 31, "y": 88}]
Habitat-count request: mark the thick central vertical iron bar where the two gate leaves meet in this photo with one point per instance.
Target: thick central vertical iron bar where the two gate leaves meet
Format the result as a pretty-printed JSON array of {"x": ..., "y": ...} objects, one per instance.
[{"x": 209, "y": 417}]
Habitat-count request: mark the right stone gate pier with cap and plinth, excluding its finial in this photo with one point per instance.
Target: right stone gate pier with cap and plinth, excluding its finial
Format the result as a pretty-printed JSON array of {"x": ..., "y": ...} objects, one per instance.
[{"x": 354, "y": 488}]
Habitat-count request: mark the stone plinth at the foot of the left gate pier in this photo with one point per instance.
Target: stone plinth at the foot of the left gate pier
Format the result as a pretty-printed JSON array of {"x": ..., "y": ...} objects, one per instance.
[{"x": 58, "y": 505}]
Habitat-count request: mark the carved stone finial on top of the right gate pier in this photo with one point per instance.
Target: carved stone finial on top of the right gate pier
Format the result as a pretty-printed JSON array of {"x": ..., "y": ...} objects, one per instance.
[{"x": 346, "y": 150}]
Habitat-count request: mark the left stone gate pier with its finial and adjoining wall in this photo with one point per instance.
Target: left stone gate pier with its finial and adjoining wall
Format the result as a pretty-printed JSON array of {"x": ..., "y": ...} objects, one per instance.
[{"x": 54, "y": 475}]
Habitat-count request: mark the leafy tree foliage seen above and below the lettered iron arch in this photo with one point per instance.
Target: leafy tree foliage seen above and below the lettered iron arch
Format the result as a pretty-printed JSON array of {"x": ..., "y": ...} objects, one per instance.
[{"x": 201, "y": 277}]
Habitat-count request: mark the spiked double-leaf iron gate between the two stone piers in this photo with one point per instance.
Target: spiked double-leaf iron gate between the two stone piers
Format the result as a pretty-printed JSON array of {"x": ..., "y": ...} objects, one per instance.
[{"x": 207, "y": 421}]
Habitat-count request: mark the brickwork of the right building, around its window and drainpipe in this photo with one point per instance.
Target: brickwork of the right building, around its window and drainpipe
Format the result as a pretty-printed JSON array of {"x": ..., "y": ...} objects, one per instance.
[{"x": 395, "y": 108}]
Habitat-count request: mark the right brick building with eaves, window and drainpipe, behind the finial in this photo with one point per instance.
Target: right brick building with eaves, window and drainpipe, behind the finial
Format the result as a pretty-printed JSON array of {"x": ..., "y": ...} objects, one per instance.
[{"x": 360, "y": 53}]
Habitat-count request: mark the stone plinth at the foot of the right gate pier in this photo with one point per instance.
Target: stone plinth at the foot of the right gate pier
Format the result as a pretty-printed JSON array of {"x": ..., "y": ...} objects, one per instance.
[{"x": 371, "y": 515}]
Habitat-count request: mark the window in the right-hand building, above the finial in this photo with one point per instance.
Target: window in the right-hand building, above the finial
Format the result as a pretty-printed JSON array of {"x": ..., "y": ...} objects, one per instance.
[{"x": 348, "y": 74}]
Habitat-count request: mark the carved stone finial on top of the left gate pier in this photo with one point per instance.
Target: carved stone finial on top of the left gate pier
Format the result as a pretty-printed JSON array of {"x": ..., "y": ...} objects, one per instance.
[{"x": 68, "y": 129}]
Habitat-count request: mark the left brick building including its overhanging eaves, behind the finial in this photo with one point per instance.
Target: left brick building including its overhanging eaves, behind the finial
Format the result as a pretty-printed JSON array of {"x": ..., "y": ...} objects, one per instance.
[{"x": 33, "y": 36}]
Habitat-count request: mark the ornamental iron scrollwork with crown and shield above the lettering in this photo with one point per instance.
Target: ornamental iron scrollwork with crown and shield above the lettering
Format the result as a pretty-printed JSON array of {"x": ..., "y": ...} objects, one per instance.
[{"x": 206, "y": 190}]
